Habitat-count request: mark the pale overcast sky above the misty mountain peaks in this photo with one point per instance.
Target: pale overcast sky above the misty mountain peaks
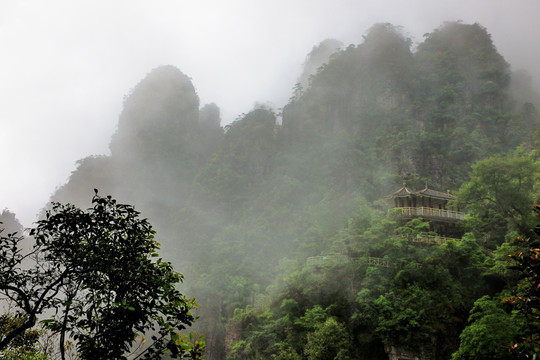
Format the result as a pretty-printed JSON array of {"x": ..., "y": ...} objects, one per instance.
[{"x": 65, "y": 65}]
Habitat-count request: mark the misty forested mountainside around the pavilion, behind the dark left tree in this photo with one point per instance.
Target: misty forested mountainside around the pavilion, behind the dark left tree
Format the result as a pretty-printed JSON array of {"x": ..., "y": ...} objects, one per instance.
[{"x": 275, "y": 219}]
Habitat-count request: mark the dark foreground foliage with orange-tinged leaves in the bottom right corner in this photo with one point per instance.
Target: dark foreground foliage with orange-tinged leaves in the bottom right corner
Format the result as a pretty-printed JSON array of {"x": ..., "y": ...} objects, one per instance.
[{"x": 508, "y": 326}]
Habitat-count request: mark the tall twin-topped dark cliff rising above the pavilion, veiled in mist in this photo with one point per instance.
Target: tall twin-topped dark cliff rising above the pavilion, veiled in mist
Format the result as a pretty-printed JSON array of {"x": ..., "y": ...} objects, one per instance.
[{"x": 429, "y": 113}]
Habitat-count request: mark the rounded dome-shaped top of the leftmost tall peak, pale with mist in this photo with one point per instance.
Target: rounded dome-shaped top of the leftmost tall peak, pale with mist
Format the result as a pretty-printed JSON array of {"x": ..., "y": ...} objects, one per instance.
[{"x": 160, "y": 119}]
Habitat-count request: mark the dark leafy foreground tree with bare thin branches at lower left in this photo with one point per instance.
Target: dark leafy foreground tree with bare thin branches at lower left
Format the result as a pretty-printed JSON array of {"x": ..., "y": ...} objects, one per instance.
[{"x": 98, "y": 270}]
